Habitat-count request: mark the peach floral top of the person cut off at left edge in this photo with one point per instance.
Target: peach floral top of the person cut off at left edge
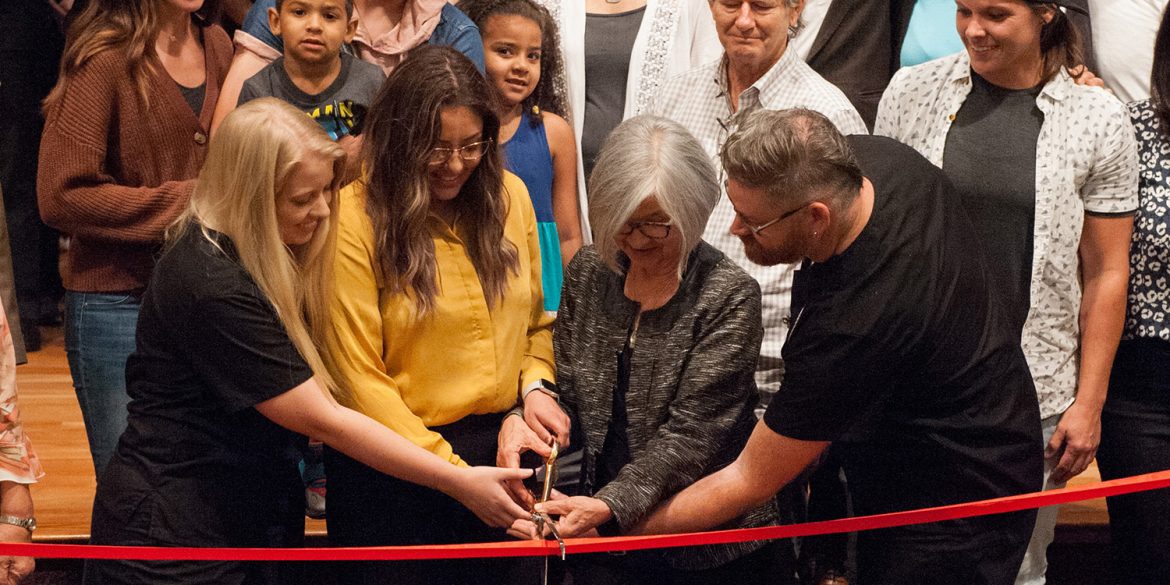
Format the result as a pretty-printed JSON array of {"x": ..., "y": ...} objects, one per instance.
[{"x": 18, "y": 460}]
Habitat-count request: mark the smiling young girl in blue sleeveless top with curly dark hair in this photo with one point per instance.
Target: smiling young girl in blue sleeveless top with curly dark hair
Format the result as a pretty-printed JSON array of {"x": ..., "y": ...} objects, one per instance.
[{"x": 520, "y": 42}]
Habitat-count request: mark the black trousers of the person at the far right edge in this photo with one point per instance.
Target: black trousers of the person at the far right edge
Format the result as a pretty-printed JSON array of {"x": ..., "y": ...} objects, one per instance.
[{"x": 1135, "y": 439}]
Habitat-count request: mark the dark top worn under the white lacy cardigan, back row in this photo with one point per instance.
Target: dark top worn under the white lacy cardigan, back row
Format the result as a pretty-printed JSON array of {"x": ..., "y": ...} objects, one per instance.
[{"x": 609, "y": 43}]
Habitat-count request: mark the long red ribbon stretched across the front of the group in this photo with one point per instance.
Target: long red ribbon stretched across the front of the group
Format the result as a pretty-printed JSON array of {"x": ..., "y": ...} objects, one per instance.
[{"x": 583, "y": 546}]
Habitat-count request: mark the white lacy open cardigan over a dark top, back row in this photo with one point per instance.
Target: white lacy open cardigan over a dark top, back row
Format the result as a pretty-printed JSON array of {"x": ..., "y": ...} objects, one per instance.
[{"x": 676, "y": 37}]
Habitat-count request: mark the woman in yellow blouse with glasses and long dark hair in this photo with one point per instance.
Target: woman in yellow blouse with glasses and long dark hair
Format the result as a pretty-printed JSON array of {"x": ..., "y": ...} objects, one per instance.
[{"x": 439, "y": 327}]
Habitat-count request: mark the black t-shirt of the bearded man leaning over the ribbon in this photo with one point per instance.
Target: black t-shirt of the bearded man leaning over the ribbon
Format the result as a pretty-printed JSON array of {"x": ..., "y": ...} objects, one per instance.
[{"x": 900, "y": 354}]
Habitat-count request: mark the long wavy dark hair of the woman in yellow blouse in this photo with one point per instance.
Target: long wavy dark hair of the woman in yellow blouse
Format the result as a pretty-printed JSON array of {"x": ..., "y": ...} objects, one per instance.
[{"x": 401, "y": 129}]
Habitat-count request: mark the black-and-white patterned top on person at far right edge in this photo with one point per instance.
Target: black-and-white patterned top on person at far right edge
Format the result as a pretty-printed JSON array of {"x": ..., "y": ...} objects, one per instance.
[{"x": 1148, "y": 314}]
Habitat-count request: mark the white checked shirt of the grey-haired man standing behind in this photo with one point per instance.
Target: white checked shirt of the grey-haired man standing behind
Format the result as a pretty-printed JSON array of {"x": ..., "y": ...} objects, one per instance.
[{"x": 699, "y": 100}]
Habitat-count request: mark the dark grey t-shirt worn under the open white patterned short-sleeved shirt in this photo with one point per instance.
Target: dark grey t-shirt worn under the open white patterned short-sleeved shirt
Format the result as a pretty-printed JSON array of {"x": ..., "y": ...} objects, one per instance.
[{"x": 990, "y": 157}]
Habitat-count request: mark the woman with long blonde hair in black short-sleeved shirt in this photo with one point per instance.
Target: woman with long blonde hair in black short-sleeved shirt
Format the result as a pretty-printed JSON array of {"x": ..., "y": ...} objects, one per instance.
[{"x": 229, "y": 374}]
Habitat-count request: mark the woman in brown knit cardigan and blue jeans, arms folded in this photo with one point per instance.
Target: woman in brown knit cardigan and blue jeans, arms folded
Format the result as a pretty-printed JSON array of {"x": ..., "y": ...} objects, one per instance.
[{"x": 125, "y": 137}]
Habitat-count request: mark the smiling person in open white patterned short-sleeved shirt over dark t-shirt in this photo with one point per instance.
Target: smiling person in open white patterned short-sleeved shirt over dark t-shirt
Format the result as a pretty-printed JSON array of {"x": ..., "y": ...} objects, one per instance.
[{"x": 1048, "y": 173}]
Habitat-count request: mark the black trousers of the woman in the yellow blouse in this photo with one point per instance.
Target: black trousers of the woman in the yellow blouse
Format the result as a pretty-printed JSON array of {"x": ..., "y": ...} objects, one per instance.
[{"x": 368, "y": 508}]
